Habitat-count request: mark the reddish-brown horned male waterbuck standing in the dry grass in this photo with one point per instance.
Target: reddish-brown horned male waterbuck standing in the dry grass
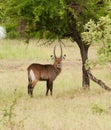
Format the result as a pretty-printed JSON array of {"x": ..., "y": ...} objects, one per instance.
[{"x": 47, "y": 72}]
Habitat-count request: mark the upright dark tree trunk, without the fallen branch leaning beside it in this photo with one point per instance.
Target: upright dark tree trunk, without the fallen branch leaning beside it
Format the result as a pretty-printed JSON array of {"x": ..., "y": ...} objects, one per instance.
[{"x": 76, "y": 36}]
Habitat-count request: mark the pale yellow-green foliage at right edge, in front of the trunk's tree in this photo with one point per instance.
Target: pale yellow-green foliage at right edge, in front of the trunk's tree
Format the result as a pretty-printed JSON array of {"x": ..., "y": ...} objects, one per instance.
[{"x": 99, "y": 32}]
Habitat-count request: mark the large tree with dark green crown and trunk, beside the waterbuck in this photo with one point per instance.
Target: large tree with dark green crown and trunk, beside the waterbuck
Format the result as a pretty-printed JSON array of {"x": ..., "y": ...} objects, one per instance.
[{"x": 56, "y": 19}]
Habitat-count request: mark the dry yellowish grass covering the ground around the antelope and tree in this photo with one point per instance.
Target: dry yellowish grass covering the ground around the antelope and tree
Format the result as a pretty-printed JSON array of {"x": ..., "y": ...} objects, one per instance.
[{"x": 70, "y": 108}]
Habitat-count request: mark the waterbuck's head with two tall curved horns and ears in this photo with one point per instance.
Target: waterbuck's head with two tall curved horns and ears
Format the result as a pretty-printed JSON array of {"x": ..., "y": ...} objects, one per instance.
[{"x": 58, "y": 60}]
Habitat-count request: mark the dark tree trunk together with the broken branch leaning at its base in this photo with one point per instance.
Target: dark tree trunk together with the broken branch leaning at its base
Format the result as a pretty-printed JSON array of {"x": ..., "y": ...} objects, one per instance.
[{"x": 76, "y": 36}]
